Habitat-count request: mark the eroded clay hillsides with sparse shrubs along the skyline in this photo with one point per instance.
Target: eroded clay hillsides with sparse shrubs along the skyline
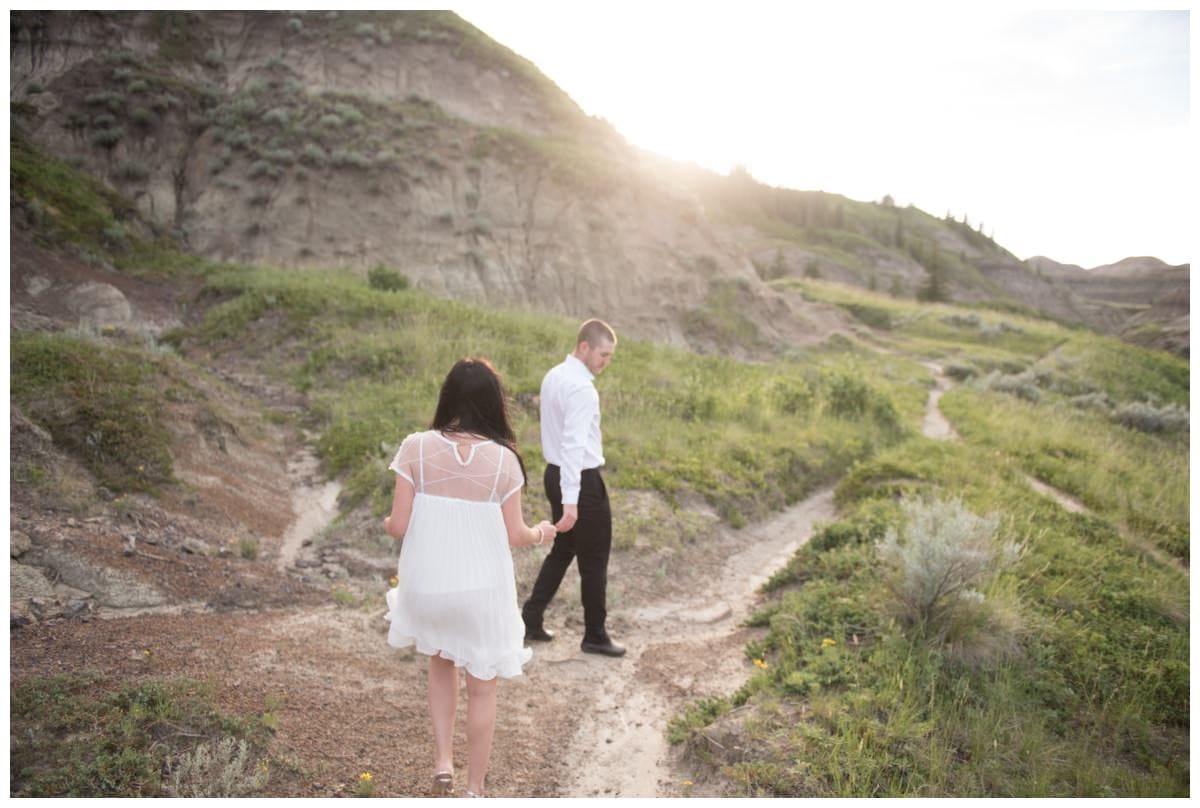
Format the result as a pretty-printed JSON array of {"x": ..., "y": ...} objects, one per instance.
[{"x": 412, "y": 140}]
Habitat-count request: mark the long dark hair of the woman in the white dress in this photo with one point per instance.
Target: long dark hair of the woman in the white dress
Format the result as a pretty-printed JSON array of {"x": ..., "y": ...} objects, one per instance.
[{"x": 473, "y": 402}]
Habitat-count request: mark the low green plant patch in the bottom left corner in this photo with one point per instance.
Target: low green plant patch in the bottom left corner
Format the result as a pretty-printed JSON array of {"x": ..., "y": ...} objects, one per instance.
[{"x": 80, "y": 735}]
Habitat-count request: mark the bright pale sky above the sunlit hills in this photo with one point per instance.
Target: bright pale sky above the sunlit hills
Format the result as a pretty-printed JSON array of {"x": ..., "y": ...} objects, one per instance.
[{"x": 1067, "y": 133}]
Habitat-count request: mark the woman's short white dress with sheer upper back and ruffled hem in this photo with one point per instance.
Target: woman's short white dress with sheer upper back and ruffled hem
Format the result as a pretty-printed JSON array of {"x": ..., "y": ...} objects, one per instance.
[{"x": 457, "y": 595}]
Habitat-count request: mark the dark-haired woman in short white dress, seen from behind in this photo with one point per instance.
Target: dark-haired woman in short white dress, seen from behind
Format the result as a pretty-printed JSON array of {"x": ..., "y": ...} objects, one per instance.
[{"x": 458, "y": 506}]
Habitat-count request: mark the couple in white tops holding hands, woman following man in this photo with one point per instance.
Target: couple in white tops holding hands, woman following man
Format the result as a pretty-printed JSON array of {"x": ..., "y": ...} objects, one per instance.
[{"x": 458, "y": 508}]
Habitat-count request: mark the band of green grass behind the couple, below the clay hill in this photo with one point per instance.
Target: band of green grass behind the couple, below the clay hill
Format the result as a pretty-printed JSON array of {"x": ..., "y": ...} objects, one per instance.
[{"x": 749, "y": 439}]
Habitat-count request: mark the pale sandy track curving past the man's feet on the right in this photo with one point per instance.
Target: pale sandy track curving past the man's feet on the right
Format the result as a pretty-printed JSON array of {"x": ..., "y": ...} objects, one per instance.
[{"x": 681, "y": 649}]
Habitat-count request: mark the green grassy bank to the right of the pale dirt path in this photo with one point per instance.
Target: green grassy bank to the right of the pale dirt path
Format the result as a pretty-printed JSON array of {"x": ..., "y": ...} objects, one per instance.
[{"x": 1078, "y": 685}]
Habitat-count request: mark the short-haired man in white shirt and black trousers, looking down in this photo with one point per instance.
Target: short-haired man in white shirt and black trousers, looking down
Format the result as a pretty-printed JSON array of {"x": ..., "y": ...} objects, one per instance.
[{"x": 579, "y": 501}]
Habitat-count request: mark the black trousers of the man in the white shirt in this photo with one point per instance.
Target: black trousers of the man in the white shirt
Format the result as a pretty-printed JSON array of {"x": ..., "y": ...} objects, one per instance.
[{"x": 589, "y": 542}]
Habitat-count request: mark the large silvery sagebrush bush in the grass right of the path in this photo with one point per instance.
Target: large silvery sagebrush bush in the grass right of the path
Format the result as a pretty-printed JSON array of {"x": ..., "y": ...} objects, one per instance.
[{"x": 940, "y": 564}]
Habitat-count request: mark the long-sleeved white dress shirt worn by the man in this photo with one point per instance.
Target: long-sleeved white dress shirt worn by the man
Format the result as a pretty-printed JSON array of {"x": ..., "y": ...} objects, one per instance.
[{"x": 571, "y": 424}]
